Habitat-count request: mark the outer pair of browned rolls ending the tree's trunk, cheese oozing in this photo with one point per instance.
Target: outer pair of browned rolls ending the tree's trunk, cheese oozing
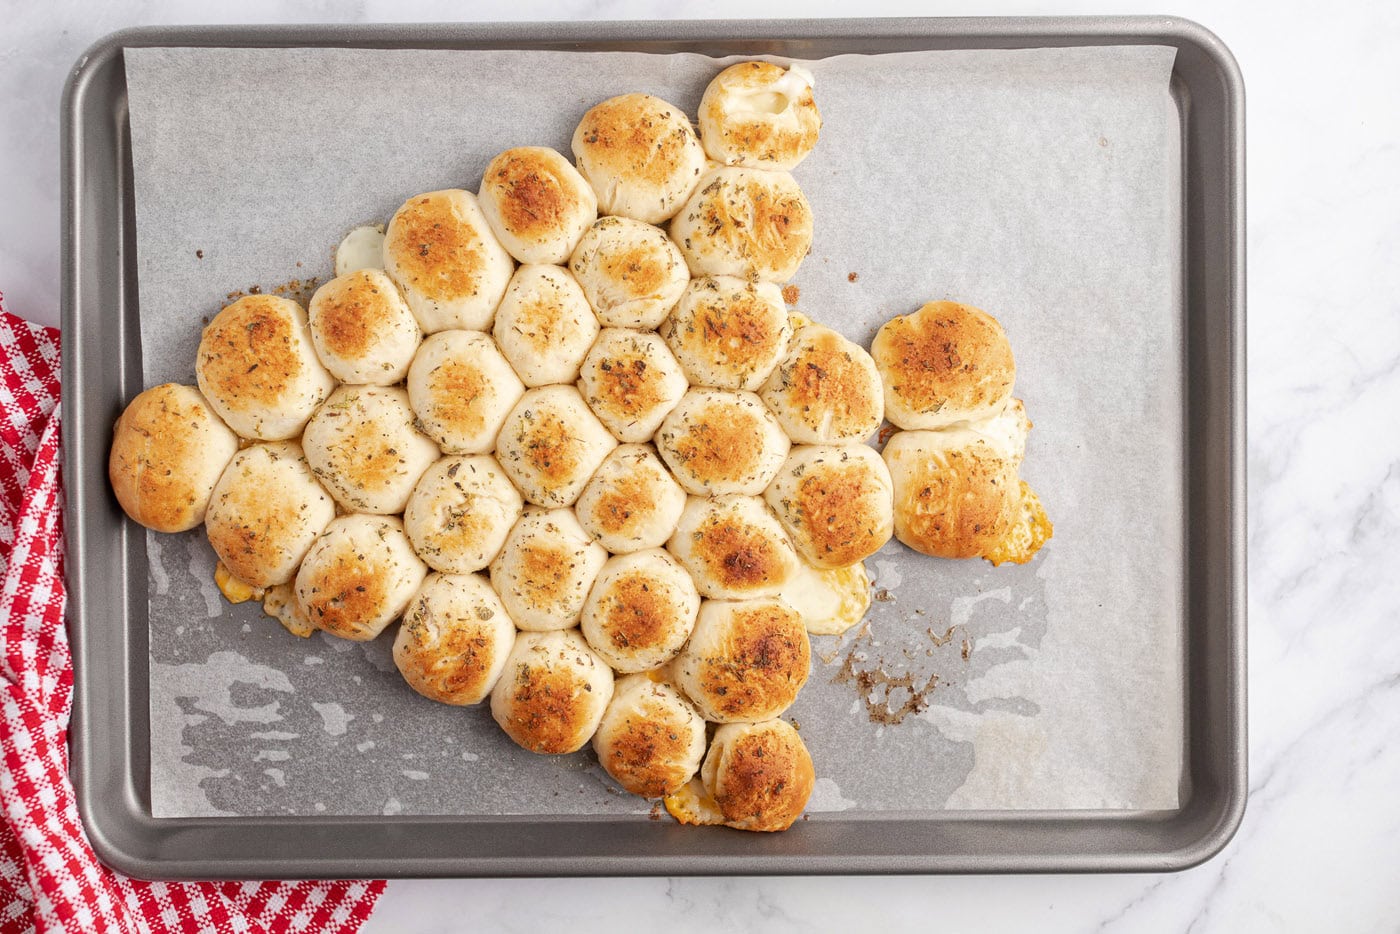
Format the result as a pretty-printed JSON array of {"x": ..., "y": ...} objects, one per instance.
[{"x": 948, "y": 376}]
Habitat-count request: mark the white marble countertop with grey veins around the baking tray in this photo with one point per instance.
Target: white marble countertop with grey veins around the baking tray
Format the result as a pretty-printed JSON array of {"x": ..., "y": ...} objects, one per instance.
[{"x": 1319, "y": 848}]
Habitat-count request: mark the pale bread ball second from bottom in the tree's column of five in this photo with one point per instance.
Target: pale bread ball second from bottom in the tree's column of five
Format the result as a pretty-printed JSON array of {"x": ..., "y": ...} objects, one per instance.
[{"x": 547, "y": 569}]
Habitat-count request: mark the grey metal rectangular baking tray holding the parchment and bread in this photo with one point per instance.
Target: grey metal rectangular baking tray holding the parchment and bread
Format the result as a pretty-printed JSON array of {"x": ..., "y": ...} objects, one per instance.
[{"x": 107, "y": 565}]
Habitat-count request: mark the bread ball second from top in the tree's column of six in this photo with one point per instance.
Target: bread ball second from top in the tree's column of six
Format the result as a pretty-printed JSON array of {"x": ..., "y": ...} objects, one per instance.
[{"x": 631, "y": 272}]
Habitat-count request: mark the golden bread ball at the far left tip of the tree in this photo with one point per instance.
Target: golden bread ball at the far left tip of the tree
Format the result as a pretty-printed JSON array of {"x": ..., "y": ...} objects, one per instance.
[{"x": 169, "y": 452}]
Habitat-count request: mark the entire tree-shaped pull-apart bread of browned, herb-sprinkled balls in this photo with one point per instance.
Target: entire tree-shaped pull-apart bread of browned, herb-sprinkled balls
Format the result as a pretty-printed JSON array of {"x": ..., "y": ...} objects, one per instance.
[{"x": 568, "y": 431}]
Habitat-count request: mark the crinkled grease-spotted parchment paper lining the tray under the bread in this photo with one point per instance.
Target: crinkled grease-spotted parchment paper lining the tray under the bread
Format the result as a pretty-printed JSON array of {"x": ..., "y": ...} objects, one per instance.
[{"x": 1042, "y": 186}]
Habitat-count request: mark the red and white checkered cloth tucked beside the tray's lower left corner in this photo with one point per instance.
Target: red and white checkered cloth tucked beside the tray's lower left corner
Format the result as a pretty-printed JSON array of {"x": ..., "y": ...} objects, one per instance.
[{"x": 50, "y": 879}]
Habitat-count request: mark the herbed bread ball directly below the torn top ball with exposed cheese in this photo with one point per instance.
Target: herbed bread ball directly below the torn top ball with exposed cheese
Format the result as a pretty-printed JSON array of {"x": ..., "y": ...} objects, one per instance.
[{"x": 747, "y": 223}]
